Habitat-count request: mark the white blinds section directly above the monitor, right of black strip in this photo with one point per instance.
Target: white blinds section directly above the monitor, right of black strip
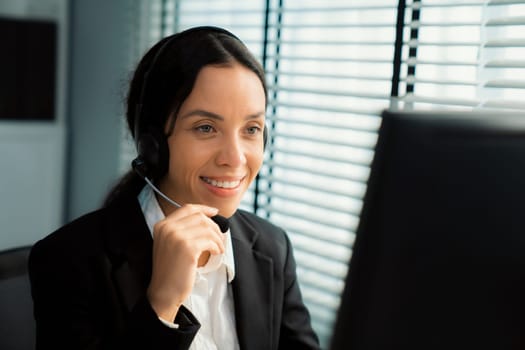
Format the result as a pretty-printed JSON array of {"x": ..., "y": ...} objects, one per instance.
[{"x": 466, "y": 54}]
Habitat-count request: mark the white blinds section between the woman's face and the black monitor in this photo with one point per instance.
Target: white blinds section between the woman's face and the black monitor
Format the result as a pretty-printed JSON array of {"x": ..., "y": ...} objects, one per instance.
[{"x": 329, "y": 67}]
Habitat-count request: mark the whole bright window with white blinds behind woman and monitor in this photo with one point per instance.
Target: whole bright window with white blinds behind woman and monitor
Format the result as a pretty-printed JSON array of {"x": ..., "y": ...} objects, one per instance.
[{"x": 332, "y": 66}]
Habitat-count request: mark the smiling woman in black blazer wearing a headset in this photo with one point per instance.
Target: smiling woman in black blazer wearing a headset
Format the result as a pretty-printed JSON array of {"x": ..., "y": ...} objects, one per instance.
[{"x": 152, "y": 269}]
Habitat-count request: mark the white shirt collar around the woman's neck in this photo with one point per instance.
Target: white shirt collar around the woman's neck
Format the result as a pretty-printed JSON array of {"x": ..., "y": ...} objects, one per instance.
[{"x": 153, "y": 214}]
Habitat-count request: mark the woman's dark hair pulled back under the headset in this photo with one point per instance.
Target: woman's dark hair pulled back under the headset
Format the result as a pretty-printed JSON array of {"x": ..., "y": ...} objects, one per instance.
[{"x": 164, "y": 78}]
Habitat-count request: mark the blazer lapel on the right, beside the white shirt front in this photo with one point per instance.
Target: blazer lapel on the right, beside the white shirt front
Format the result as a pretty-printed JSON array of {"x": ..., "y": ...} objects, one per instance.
[{"x": 253, "y": 282}]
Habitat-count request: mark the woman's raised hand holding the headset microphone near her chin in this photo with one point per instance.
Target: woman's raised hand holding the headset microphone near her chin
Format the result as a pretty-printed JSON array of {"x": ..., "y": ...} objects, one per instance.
[{"x": 182, "y": 242}]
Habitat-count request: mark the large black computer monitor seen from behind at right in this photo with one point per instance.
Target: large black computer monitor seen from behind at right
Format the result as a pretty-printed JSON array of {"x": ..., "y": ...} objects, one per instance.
[{"x": 439, "y": 256}]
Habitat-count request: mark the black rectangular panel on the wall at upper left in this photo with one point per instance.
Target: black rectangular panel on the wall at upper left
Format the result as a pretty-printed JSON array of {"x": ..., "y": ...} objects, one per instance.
[{"x": 27, "y": 69}]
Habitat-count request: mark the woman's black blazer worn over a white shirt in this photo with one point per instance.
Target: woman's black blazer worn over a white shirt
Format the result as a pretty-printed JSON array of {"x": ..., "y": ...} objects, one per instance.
[{"x": 89, "y": 279}]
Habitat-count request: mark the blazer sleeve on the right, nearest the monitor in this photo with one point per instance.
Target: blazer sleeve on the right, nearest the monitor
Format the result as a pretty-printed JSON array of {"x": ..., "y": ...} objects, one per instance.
[{"x": 296, "y": 331}]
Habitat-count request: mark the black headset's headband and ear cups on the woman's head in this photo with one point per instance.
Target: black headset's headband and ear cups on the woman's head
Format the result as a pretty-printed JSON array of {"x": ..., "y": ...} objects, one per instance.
[{"x": 151, "y": 143}]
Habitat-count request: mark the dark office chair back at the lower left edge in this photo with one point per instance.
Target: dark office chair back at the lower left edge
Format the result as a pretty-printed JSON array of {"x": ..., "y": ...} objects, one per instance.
[{"x": 17, "y": 326}]
